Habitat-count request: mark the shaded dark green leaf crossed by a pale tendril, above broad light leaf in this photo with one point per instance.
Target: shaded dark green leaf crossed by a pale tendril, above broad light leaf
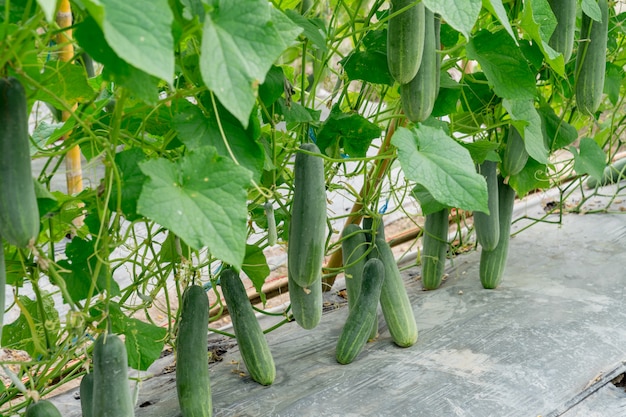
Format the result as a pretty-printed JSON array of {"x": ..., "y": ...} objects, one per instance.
[{"x": 197, "y": 130}]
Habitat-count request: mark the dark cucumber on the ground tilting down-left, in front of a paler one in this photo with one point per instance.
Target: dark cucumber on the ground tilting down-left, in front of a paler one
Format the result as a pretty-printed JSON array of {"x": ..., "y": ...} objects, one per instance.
[{"x": 362, "y": 314}]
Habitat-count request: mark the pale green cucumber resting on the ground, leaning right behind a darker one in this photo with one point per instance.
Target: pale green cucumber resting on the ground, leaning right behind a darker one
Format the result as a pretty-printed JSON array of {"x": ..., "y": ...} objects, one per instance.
[{"x": 394, "y": 300}]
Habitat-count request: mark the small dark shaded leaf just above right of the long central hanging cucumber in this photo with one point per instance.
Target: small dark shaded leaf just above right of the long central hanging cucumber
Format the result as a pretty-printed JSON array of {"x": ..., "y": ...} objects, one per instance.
[{"x": 349, "y": 131}]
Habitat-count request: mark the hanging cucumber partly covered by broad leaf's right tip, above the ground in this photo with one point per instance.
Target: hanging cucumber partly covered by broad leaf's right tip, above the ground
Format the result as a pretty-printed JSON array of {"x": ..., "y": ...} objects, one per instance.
[{"x": 487, "y": 226}]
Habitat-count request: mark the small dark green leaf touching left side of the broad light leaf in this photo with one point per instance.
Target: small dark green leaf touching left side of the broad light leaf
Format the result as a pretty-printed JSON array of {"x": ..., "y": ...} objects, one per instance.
[{"x": 131, "y": 182}]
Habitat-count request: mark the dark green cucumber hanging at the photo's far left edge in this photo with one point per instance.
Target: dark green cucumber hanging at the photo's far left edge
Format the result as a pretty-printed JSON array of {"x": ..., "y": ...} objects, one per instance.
[{"x": 19, "y": 214}]
